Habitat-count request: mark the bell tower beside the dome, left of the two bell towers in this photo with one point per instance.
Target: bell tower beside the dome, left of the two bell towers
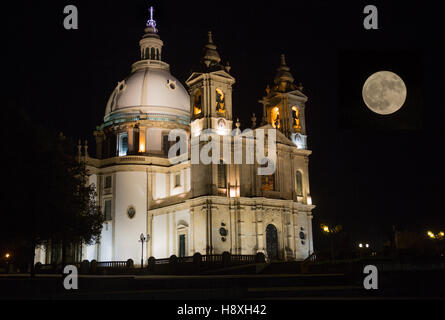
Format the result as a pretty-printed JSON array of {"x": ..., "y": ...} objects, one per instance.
[{"x": 210, "y": 89}]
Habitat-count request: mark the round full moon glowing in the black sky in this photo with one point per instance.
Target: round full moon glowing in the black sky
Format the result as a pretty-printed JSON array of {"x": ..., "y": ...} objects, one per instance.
[{"x": 384, "y": 92}]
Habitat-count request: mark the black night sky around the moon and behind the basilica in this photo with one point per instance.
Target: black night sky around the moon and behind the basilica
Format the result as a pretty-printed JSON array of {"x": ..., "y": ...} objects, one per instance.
[{"x": 367, "y": 172}]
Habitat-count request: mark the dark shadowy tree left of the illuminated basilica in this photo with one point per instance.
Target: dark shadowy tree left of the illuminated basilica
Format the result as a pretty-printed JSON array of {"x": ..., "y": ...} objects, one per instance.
[{"x": 48, "y": 200}]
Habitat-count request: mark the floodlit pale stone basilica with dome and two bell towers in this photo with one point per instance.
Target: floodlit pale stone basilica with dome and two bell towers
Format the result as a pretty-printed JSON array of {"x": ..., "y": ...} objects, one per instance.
[{"x": 183, "y": 207}]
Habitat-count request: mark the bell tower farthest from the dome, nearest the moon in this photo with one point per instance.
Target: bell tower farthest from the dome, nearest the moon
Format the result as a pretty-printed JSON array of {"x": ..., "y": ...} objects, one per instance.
[{"x": 284, "y": 106}]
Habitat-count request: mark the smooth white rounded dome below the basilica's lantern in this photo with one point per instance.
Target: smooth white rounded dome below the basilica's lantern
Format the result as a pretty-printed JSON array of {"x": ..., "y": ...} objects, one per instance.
[{"x": 149, "y": 91}]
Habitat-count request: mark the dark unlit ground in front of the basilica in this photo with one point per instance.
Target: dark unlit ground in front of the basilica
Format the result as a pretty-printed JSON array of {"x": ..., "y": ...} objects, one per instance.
[{"x": 427, "y": 284}]
